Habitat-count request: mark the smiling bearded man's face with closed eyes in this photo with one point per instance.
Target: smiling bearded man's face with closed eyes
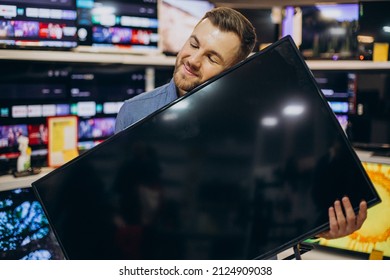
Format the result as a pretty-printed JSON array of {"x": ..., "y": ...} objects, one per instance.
[{"x": 207, "y": 52}]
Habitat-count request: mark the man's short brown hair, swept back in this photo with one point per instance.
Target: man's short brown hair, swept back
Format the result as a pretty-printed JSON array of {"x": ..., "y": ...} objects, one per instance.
[{"x": 230, "y": 20}]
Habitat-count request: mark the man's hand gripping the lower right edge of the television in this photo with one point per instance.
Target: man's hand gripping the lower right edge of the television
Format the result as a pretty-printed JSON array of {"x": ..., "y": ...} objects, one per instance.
[{"x": 341, "y": 225}]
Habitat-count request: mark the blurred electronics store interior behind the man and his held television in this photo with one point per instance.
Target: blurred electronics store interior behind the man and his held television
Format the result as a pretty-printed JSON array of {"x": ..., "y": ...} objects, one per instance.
[{"x": 67, "y": 67}]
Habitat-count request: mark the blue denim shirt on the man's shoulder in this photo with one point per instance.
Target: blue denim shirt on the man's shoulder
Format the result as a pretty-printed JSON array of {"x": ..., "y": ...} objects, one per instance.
[{"x": 142, "y": 105}]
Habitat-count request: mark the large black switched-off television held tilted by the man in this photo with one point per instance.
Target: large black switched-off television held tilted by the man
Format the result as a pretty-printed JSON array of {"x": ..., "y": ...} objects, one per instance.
[{"x": 242, "y": 167}]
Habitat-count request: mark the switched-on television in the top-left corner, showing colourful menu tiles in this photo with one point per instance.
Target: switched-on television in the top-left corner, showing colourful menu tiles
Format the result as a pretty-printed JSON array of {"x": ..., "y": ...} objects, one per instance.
[{"x": 46, "y": 24}]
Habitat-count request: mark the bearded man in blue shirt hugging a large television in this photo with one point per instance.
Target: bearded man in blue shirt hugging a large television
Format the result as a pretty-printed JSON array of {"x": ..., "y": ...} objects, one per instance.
[{"x": 222, "y": 38}]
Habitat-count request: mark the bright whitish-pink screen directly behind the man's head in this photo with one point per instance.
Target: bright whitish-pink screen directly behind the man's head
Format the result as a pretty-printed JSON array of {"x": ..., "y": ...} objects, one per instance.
[{"x": 177, "y": 19}]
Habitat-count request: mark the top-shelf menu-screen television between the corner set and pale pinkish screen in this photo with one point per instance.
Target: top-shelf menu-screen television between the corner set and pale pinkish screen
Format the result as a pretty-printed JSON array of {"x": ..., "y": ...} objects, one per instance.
[{"x": 120, "y": 25}]
